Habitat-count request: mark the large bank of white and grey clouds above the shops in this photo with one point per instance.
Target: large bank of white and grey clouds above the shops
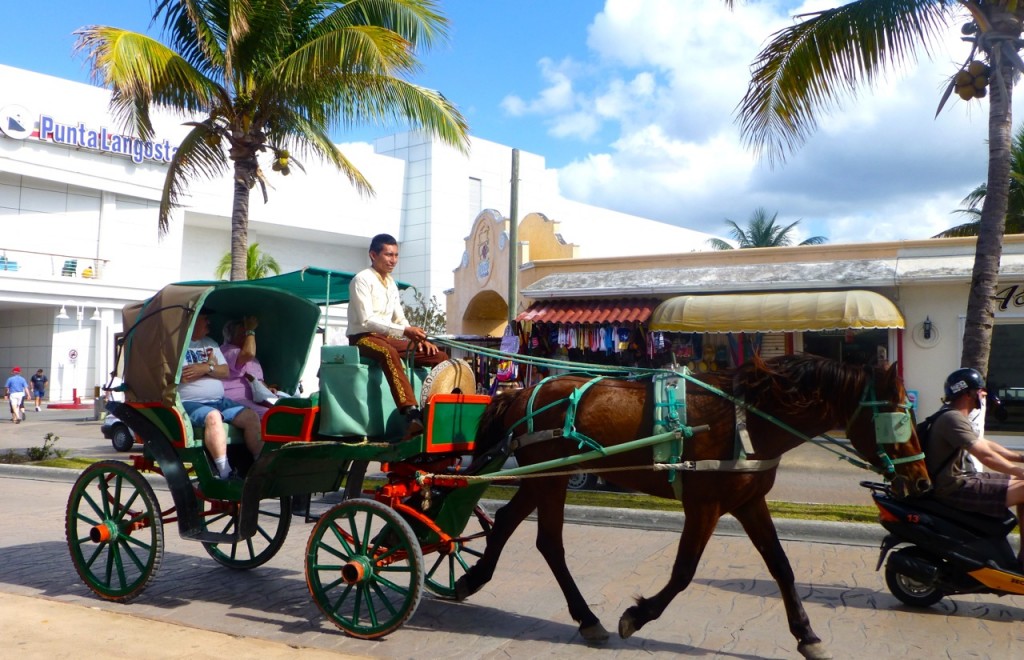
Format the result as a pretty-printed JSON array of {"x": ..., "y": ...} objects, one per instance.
[{"x": 660, "y": 90}]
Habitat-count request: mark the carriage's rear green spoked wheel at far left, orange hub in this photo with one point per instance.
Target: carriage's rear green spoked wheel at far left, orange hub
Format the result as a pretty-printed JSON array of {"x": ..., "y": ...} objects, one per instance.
[{"x": 115, "y": 531}]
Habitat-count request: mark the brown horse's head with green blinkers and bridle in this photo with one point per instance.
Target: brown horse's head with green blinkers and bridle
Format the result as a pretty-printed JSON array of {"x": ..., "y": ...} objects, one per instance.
[{"x": 882, "y": 430}]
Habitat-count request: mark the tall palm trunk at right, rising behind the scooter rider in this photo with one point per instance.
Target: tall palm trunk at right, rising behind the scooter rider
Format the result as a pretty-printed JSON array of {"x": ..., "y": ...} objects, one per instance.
[{"x": 982, "y": 302}]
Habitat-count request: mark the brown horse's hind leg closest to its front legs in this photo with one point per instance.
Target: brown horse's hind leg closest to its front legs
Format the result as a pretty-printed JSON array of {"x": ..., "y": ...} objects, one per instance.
[{"x": 550, "y": 525}]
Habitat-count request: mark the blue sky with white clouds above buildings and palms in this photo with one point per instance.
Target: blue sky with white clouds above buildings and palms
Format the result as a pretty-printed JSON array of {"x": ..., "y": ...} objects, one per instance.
[{"x": 633, "y": 104}]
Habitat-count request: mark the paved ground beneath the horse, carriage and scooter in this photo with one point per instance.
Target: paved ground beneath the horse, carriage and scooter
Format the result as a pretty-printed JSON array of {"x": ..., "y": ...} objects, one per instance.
[{"x": 200, "y": 609}]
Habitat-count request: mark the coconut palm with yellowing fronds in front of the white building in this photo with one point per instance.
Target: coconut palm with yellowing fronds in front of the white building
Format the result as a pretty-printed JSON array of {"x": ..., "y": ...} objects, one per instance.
[{"x": 271, "y": 77}]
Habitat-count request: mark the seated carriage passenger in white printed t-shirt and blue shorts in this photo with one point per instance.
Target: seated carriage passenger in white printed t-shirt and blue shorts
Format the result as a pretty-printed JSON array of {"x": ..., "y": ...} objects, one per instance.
[{"x": 202, "y": 393}]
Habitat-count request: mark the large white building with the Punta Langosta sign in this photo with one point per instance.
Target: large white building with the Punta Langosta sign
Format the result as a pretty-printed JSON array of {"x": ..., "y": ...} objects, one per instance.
[{"x": 77, "y": 199}]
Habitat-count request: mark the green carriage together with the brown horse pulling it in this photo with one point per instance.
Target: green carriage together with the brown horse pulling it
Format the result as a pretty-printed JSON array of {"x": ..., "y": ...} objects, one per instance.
[{"x": 370, "y": 557}]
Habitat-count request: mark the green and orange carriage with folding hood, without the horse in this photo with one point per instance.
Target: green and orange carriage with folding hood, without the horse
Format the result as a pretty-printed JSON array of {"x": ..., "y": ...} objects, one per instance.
[{"x": 366, "y": 565}]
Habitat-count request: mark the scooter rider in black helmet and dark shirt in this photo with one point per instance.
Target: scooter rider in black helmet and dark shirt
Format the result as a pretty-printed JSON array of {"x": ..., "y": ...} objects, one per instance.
[{"x": 957, "y": 481}]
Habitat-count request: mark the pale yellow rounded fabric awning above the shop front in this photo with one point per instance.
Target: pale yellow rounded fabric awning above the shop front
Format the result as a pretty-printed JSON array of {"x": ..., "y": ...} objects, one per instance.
[{"x": 777, "y": 313}]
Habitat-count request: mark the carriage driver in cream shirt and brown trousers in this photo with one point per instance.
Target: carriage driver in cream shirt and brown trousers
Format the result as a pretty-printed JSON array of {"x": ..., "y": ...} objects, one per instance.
[{"x": 378, "y": 327}]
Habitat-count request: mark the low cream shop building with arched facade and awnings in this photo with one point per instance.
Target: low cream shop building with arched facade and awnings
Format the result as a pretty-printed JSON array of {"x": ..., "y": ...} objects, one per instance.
[{"x": 923, "y": 287}]
